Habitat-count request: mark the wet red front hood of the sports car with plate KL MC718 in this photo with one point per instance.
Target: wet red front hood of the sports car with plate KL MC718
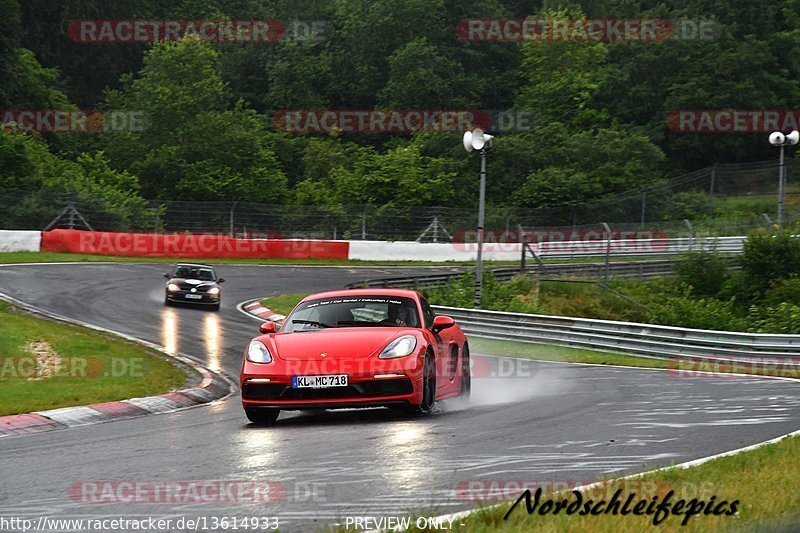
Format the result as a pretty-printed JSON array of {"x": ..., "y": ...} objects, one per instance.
[{"x": 339, "y": 343}]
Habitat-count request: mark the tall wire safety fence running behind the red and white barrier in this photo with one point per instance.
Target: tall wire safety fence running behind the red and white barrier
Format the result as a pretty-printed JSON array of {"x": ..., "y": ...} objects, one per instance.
[{"x": 719, "y": 200}]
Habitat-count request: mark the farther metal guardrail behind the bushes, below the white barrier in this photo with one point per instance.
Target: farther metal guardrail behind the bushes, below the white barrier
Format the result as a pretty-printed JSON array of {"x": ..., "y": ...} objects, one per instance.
[{"x": 620, "y": 269}]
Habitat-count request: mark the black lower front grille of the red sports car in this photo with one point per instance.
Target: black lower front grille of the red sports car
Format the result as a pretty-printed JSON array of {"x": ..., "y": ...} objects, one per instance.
[{"x": 365, "y": 389}]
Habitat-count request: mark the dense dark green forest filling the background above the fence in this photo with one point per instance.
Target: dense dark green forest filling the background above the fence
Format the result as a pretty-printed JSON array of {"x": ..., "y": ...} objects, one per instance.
[{"x": 599, "y": 108}]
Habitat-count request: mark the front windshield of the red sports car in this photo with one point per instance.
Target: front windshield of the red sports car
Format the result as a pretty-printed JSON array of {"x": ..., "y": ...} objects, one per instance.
[{"x": 355, "y": 311}]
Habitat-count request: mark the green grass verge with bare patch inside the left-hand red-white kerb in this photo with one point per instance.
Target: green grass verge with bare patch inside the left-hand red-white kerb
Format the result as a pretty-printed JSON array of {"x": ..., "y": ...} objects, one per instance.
[{"x": 92, "y": 366}]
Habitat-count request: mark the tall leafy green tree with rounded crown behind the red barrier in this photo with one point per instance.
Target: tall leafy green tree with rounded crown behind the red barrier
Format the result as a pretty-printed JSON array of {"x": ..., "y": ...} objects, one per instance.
[{"x": 197, "y": 145}]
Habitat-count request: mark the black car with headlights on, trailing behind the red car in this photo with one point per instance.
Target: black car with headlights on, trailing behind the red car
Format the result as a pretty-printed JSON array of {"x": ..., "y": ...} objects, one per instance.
[{"x": 193, "y": 284}]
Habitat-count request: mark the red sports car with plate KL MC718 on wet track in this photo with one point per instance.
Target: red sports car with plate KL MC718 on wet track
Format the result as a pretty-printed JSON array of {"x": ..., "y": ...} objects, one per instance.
[{"x": 355, "y": 348}]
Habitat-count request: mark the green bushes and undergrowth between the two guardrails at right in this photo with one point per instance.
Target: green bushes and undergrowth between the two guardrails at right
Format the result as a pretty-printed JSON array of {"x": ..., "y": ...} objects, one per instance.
[{"x": 764, "y": 296}]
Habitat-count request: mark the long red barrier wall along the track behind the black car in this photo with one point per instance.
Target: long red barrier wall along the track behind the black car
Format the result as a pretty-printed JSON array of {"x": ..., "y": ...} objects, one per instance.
[{"x": 207, "y": 246}]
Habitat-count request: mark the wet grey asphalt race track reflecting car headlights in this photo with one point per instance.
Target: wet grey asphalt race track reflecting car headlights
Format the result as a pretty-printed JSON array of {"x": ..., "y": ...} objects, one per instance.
[{"x": 531, "y": 421}]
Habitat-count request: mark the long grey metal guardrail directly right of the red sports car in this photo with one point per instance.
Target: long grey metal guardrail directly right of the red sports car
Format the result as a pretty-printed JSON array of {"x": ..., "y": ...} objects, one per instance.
[{"x": 621, "y": 337}]
